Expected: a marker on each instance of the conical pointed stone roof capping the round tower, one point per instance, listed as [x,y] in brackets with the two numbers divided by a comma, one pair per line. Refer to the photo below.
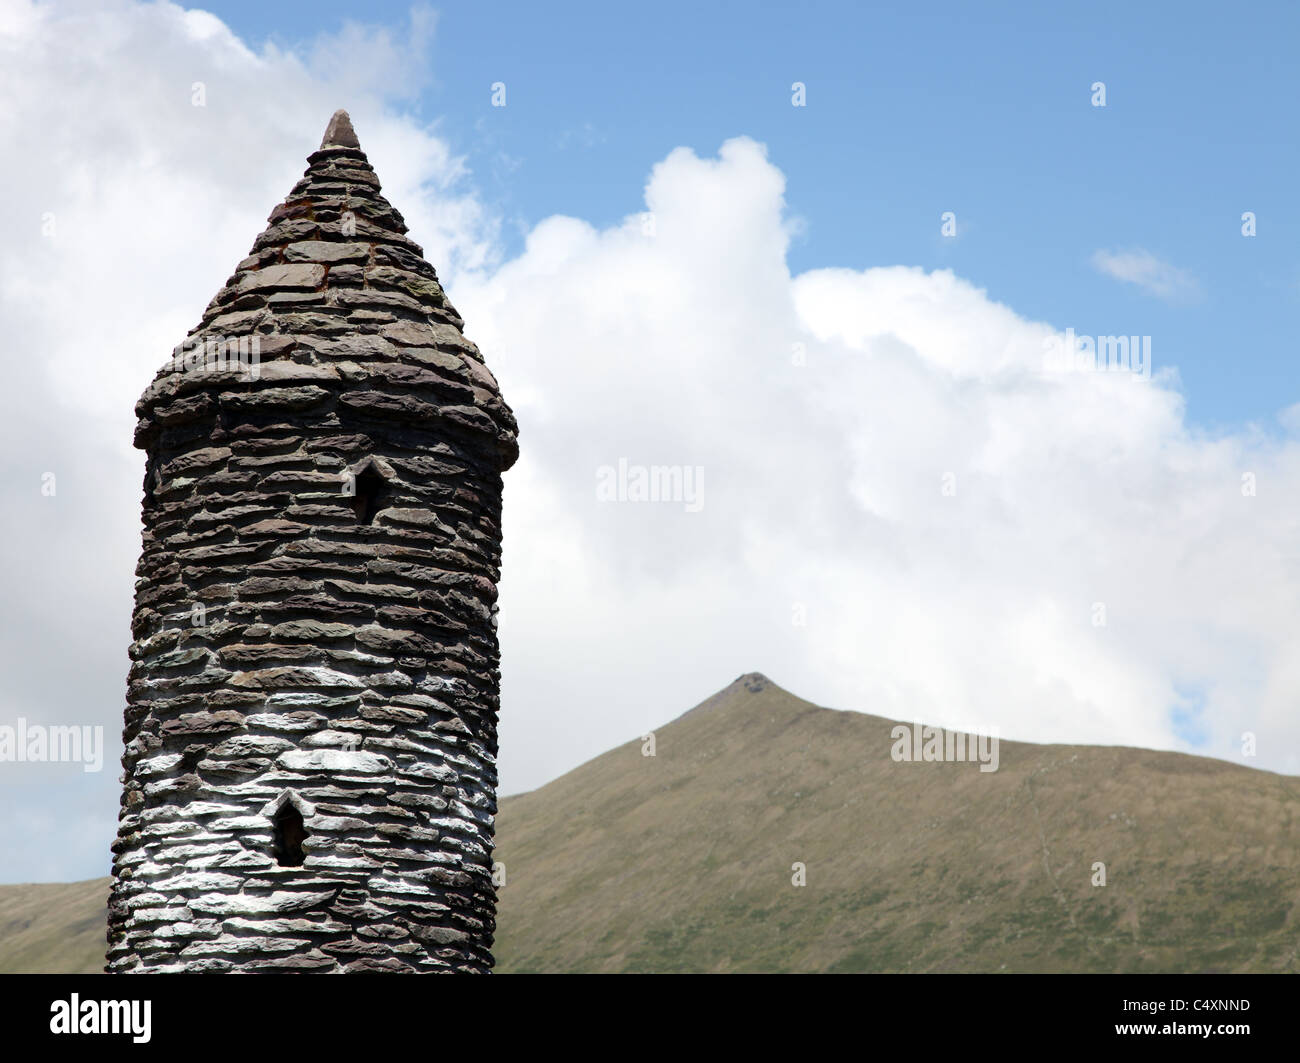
[349,322]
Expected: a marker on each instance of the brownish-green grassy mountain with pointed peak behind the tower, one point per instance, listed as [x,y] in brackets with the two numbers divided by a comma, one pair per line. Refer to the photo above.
[684,861]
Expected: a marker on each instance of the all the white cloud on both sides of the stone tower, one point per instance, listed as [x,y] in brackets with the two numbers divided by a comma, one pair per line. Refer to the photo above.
[902,513]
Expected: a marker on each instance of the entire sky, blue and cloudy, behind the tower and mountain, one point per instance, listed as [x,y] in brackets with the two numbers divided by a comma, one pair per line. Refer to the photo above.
[817,259]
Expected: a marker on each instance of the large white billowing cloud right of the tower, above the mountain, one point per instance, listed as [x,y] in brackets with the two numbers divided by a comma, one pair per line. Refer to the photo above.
[904,513]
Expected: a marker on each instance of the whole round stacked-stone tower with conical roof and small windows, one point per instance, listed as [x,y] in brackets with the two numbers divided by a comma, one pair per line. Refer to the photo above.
[311,723]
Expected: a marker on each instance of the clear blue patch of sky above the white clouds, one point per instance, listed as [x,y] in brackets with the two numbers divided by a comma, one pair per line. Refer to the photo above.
[913,110]
